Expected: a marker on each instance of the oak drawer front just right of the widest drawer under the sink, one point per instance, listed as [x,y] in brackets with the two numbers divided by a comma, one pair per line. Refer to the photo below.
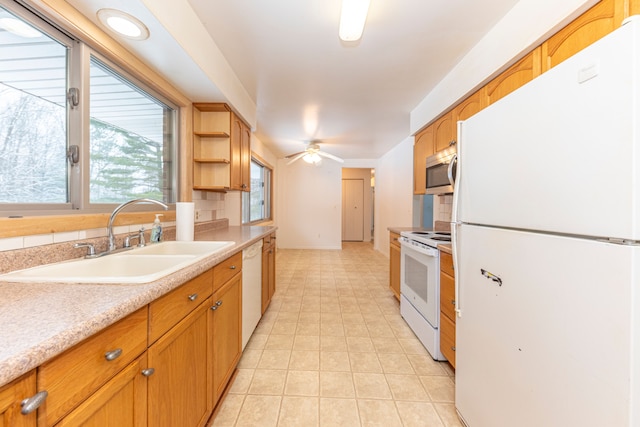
[174,306]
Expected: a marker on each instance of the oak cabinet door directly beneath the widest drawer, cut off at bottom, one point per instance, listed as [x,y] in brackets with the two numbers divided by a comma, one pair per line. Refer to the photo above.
[122,402]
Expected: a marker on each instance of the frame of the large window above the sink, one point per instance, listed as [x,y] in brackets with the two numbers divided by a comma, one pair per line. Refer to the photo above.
[79,54]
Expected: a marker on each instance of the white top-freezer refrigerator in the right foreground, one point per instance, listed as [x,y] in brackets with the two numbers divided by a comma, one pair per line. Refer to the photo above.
[546,229]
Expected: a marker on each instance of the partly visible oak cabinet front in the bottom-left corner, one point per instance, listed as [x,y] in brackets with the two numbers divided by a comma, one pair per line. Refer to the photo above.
[11,395]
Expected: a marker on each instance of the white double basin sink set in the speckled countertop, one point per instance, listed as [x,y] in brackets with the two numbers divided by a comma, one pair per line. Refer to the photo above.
[138,265]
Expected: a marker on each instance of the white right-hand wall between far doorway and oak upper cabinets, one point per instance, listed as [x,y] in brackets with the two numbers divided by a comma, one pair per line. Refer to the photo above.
[394,193]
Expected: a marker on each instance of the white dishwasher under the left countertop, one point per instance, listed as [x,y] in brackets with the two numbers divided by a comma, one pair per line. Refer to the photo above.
[251,290]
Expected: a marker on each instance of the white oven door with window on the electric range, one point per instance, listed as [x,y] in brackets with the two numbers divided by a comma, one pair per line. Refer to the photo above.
[420,280]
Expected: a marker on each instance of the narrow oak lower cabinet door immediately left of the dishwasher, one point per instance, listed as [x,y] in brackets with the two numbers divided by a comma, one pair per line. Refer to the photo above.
[227,332]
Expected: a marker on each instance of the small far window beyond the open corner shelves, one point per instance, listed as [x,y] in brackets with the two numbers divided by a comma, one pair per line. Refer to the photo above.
[256,204]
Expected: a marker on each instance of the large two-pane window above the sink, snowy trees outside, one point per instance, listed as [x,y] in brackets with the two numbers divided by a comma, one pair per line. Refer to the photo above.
[76,131]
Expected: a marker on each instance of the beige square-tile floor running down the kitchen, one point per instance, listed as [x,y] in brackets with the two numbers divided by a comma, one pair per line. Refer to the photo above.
[333,350]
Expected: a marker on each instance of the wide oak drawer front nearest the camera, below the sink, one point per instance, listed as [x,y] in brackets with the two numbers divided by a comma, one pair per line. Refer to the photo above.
[79,371]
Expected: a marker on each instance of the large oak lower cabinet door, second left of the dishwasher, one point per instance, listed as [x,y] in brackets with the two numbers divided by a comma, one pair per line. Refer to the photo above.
[180,389]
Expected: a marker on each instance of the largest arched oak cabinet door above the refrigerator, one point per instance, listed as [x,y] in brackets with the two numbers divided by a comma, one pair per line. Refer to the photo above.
[592,25]
